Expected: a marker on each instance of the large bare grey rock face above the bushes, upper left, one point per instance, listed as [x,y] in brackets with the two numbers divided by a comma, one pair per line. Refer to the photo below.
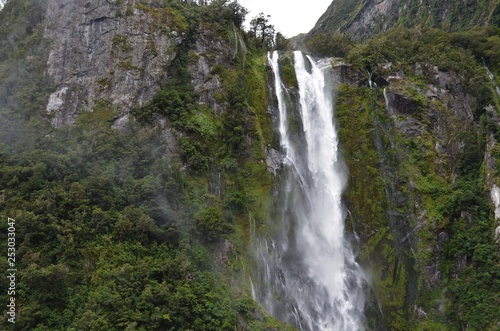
[110,51]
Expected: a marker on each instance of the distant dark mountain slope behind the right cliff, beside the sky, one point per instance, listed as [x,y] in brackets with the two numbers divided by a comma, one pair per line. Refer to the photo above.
[362,18]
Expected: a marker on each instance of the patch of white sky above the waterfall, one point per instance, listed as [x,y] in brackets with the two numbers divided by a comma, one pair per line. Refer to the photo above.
[290,17]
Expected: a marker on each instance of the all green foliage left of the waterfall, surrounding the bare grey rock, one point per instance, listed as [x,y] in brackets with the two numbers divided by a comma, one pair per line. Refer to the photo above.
[114,229]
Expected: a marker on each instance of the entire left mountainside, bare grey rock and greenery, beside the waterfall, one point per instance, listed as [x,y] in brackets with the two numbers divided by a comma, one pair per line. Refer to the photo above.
[131,156]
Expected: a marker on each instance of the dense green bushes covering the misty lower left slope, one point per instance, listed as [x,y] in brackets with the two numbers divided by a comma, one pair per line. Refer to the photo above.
[99,217]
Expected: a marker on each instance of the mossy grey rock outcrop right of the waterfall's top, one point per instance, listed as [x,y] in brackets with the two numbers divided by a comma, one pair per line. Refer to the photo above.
[443,108]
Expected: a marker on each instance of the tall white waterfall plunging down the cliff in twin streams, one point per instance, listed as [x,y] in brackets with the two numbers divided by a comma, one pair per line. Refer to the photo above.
[310,276]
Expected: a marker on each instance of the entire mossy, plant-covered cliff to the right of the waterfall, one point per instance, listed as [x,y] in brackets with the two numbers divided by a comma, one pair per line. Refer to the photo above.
[418,193]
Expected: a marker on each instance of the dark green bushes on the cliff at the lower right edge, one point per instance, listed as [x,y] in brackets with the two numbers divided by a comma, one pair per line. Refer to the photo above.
[473,288]
